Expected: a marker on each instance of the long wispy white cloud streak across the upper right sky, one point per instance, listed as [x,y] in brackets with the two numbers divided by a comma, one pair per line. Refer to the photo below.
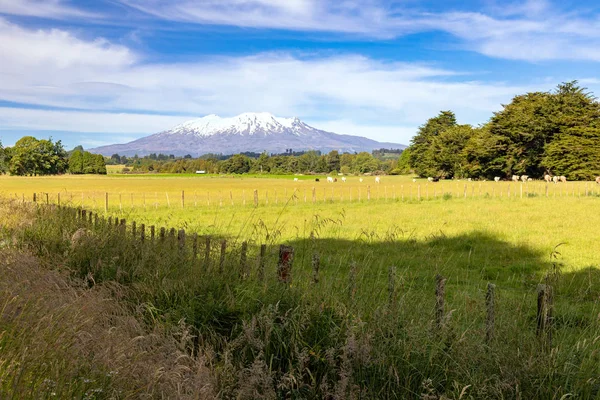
[532,30]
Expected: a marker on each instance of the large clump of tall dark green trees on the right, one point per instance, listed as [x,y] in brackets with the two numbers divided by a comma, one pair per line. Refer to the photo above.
[556,133]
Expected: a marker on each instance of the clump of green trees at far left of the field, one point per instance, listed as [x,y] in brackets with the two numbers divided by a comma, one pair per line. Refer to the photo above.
[32,157]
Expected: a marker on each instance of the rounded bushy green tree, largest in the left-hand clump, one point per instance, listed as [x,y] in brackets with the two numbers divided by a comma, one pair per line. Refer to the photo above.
[31,156]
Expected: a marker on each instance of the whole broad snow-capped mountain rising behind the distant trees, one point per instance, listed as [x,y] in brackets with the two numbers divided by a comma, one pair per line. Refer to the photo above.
[255,132]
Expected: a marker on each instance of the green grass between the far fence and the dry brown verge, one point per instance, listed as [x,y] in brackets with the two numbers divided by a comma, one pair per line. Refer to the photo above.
[364,330]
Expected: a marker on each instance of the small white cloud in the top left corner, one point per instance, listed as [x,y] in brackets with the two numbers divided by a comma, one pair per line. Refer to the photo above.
[41,8]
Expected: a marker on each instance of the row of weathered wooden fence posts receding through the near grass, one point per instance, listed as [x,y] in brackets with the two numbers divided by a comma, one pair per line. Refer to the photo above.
[176,242]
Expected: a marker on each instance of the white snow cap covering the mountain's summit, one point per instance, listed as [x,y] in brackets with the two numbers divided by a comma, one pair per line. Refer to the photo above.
[244,124]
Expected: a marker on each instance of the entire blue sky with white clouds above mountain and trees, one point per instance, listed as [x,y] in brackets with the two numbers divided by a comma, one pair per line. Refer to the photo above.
[96,72]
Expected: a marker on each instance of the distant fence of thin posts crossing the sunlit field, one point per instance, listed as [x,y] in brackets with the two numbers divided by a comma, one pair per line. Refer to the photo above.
[340,193]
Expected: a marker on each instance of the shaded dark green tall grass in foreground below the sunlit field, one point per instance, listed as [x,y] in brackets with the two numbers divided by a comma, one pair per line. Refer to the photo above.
[346,336]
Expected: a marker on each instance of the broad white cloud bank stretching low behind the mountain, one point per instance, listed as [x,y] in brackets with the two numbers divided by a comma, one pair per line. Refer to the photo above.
[59,70]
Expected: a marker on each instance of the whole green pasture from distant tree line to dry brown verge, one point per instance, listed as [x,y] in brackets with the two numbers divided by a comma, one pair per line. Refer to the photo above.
[379,250]
